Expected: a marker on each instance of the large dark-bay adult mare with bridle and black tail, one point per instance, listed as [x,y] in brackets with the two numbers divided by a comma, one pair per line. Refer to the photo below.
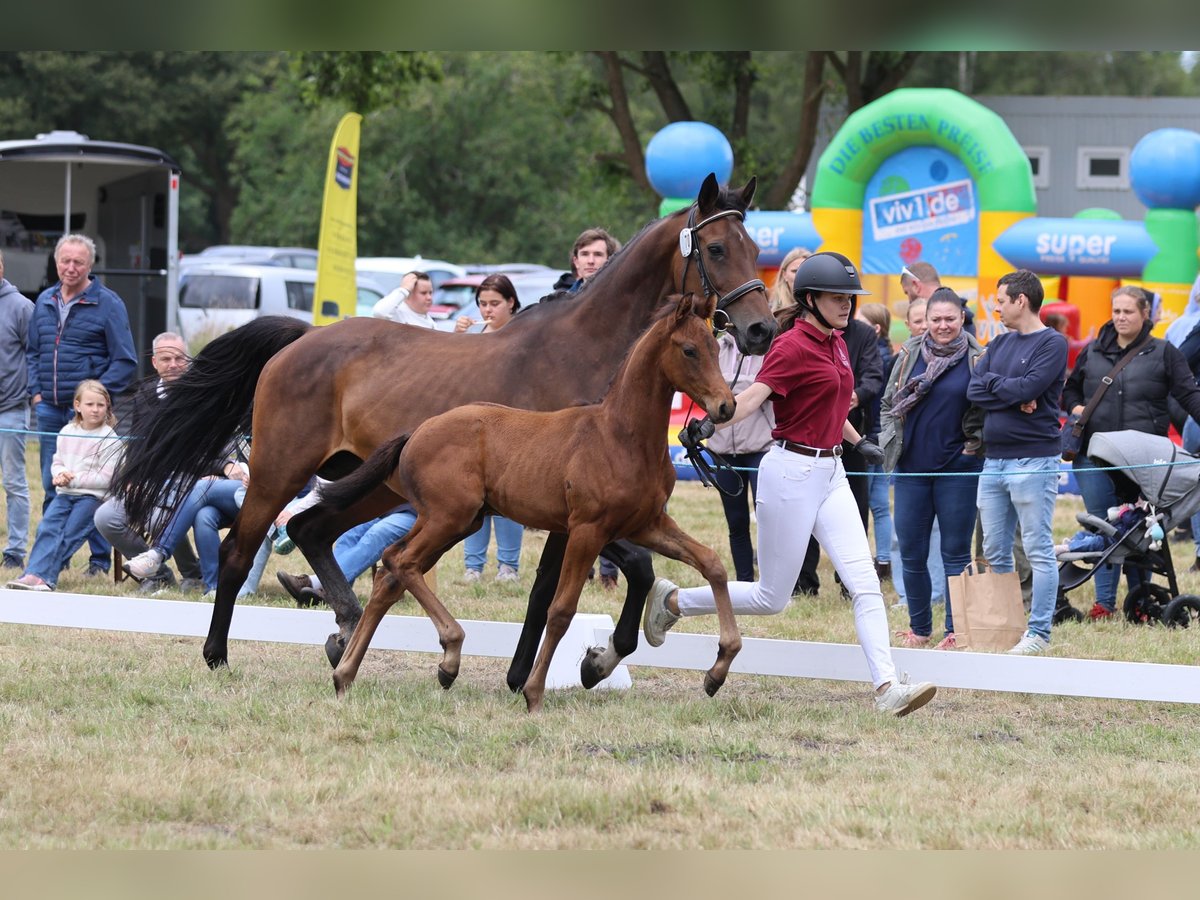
[323,400]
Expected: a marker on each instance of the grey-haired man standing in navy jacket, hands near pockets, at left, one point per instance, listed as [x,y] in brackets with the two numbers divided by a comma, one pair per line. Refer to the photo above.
[80,329]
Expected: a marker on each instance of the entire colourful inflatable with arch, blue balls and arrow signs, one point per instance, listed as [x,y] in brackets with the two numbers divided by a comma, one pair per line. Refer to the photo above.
[929,175]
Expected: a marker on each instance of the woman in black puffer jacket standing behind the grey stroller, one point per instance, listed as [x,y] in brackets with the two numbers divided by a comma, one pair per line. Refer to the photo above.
[1138,400]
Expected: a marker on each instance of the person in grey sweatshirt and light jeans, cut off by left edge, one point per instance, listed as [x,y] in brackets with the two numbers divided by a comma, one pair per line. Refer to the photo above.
[15,313]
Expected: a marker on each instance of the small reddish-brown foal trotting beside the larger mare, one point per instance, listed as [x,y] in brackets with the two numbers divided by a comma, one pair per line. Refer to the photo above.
[596,473]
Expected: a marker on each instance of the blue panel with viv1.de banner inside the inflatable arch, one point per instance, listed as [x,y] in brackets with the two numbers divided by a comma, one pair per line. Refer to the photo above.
[921,205]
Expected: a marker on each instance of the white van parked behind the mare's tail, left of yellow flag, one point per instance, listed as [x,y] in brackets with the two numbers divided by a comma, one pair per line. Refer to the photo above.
[219,298]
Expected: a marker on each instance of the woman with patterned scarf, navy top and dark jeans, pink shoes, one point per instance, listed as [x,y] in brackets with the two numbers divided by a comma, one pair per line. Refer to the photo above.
[932,437]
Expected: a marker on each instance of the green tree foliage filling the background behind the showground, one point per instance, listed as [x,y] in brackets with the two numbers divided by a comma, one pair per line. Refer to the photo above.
[494,157]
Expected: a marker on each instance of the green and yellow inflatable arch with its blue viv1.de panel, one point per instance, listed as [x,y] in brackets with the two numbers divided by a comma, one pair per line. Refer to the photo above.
[923,175]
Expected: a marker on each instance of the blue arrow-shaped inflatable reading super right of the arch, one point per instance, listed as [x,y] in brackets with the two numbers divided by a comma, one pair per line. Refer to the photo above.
[1078,247]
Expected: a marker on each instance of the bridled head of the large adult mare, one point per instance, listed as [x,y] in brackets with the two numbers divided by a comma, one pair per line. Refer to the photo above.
[719,260]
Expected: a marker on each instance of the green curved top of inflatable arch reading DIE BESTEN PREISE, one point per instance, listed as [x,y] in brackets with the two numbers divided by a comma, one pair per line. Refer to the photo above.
[923,117]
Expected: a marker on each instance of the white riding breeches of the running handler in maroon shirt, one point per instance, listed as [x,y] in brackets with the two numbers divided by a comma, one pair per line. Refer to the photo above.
[799,497]
